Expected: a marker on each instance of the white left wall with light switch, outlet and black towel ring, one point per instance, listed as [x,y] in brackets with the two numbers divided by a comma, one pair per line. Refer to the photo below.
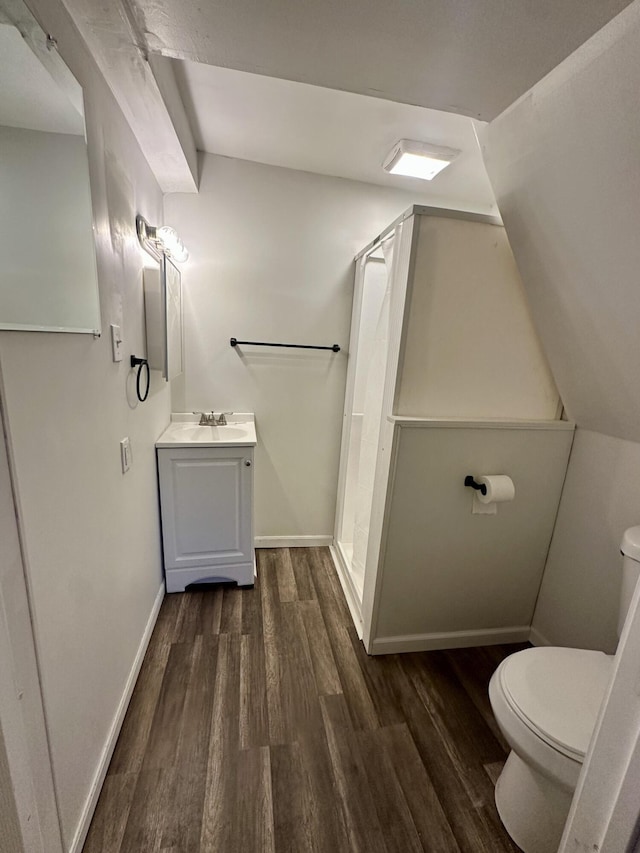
[92,534]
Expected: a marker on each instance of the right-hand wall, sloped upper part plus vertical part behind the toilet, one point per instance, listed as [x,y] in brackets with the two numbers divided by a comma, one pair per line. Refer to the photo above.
[565,165]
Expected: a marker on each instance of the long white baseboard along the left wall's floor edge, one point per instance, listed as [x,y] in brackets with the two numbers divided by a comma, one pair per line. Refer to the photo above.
[103,765]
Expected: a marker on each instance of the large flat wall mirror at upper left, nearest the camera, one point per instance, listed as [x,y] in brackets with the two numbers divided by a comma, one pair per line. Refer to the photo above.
[48,276]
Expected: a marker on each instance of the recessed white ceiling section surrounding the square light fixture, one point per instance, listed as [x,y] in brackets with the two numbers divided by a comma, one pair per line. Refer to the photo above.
[298,126]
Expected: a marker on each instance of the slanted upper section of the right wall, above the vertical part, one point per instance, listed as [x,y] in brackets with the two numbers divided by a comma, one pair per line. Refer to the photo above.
[565,166]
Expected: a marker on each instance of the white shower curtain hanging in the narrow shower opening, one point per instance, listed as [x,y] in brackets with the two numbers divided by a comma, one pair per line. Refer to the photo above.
[372,415]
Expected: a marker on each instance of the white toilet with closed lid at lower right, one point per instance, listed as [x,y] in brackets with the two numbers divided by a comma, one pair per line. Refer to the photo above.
[546,701]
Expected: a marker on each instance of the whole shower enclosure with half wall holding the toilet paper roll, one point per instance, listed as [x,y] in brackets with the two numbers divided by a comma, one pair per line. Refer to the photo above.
[446,378]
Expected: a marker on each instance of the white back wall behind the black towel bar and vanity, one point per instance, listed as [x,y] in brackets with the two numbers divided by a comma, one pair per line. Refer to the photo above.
[272,260]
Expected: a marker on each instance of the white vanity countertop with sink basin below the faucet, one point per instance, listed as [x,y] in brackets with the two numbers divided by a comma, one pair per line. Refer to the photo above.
[185,431]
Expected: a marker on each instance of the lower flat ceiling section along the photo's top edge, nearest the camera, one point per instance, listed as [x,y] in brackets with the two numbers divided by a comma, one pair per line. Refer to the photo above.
[473,57]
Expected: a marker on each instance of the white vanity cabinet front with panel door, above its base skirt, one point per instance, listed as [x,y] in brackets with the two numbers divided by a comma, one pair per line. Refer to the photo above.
[206,498]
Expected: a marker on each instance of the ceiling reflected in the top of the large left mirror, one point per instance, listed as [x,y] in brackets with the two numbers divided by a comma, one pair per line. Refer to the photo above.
[29,97]
